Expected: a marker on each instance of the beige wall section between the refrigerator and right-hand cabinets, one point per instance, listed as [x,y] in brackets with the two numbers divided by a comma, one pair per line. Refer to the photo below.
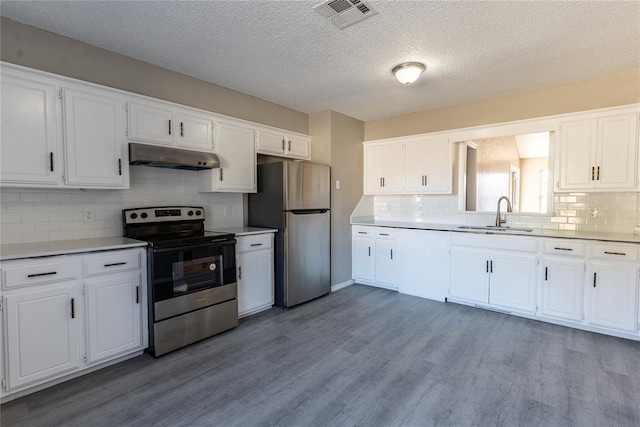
[337,141]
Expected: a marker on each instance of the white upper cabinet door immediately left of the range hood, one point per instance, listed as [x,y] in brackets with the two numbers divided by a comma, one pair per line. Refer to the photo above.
[94,138]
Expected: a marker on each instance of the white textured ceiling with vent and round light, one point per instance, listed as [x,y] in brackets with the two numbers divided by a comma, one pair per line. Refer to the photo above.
[285,52]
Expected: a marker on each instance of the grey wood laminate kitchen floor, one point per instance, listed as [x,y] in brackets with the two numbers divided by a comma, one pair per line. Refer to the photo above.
[361,356]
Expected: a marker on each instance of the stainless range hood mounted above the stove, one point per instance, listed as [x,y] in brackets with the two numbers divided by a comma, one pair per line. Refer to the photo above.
[171,158]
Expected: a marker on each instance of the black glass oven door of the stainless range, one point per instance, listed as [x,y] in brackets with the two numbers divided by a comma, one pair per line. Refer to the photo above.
[179,271]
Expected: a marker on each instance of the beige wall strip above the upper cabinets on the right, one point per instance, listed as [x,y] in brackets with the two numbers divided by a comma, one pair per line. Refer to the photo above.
[608,91]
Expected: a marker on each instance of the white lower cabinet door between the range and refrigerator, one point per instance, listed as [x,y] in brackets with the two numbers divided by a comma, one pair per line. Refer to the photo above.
[255,281]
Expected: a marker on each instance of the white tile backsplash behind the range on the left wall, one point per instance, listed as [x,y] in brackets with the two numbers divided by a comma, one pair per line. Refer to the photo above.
[38,215]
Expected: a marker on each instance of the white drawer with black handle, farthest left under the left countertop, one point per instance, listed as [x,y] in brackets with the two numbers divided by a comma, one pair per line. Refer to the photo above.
[46,270]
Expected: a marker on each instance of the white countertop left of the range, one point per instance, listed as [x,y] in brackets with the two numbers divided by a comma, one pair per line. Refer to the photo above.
[63,247]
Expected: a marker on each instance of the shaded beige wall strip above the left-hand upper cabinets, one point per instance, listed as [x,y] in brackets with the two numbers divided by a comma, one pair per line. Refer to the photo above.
[31,47]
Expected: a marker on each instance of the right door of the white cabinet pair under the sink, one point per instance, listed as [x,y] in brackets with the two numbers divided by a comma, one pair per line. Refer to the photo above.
[512,282]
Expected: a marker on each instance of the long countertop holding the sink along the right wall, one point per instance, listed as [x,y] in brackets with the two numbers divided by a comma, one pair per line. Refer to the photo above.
[584,235]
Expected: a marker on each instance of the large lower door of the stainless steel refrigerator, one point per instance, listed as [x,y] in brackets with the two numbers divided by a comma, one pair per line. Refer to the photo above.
[307,256]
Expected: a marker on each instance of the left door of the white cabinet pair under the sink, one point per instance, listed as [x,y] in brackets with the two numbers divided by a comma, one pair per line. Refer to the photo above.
[469,275]
